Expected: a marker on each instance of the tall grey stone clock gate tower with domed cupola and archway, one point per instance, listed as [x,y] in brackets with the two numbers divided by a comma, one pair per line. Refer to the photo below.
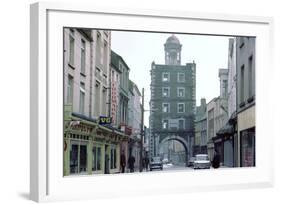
[172,102]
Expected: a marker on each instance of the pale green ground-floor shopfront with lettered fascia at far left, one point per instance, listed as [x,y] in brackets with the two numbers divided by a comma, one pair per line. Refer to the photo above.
[90,148]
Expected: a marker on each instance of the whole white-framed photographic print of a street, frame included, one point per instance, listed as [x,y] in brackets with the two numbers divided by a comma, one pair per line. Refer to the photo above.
[134,102]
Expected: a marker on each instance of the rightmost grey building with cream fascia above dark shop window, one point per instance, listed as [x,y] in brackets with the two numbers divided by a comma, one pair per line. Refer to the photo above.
[245,54]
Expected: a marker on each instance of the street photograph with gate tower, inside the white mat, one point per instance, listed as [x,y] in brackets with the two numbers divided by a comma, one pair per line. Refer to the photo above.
[138,102]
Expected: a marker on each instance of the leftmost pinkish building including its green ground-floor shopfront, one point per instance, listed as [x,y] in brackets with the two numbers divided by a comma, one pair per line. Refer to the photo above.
[89,148]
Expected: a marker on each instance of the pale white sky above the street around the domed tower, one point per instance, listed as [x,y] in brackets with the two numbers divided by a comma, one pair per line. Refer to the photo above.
[140,49]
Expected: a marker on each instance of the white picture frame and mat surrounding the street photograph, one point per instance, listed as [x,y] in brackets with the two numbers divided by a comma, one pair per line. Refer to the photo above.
[46,176]
